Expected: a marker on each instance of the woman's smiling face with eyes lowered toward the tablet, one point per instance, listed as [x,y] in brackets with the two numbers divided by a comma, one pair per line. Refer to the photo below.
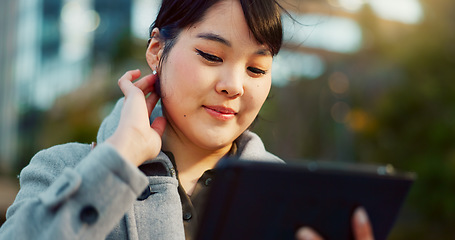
[215,79]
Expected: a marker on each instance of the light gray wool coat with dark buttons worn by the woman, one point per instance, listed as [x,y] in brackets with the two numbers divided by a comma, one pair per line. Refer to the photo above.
[73,192]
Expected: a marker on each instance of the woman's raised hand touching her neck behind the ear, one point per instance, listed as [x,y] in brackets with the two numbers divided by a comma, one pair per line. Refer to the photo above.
[135,139]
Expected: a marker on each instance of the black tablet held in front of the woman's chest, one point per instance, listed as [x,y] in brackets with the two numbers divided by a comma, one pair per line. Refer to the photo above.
[258,200]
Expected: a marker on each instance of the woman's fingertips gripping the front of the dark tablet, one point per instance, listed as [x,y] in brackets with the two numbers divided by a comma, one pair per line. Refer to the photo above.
[360,225]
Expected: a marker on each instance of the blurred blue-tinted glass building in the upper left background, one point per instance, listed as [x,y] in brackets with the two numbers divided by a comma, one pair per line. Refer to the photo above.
[47,50]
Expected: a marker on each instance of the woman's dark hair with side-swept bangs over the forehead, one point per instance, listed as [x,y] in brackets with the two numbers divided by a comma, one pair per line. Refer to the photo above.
[263,18]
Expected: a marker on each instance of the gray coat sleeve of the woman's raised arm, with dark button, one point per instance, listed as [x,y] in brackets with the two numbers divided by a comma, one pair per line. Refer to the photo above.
[70,192]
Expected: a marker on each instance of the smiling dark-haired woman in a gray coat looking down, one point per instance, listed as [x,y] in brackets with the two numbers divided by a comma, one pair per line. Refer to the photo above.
[213,59]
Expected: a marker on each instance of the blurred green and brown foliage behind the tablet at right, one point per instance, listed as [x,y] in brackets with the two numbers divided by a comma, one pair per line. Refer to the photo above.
[401,99]
